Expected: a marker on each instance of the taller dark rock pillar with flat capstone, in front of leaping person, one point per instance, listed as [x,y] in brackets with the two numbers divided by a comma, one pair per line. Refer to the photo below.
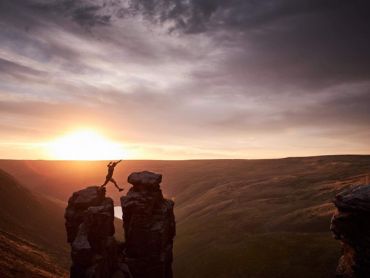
[149,226]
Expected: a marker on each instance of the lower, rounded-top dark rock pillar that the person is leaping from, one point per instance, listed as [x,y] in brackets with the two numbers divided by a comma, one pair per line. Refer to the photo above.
[89,223]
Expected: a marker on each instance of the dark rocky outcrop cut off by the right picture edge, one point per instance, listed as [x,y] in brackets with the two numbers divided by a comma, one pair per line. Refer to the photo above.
[351,225]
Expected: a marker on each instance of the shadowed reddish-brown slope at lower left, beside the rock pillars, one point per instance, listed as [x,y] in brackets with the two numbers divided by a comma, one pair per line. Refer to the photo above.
[32,240]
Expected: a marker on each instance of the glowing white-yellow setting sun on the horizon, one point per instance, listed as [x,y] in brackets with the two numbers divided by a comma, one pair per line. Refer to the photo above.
[85,145]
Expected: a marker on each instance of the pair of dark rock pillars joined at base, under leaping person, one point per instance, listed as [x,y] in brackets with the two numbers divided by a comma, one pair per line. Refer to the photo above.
[149,226]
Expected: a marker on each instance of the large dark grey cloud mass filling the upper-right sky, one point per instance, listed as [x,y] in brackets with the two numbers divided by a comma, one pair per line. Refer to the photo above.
[311,43]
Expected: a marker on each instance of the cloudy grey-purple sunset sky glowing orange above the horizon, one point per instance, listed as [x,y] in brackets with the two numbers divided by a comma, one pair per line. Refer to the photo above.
[186,79]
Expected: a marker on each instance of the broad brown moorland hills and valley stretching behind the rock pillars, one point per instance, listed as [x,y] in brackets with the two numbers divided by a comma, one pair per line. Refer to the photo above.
[235,218]
